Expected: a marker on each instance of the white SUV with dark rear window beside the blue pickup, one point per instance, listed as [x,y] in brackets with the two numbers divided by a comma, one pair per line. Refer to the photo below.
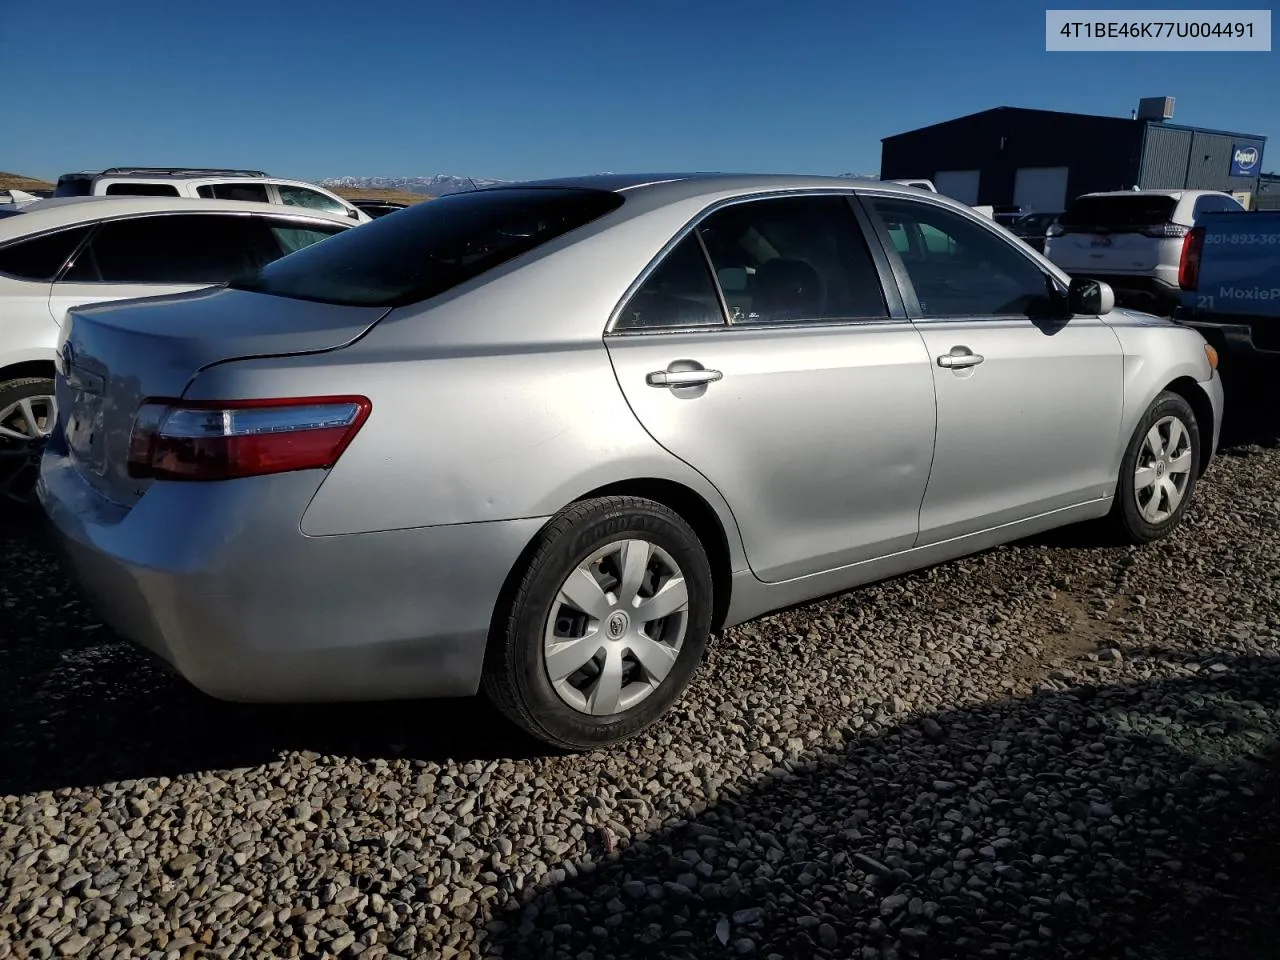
[1132,240]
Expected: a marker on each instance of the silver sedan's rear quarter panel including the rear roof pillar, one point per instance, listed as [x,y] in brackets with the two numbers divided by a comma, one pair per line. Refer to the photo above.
[497,403]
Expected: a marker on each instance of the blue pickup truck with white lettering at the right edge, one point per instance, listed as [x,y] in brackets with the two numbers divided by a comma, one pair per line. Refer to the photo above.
[1231,282]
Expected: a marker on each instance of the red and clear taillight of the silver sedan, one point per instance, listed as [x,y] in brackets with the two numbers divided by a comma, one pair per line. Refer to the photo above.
[228,440]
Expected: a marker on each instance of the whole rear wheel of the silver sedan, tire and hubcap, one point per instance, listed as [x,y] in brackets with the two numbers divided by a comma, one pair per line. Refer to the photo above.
[607,625]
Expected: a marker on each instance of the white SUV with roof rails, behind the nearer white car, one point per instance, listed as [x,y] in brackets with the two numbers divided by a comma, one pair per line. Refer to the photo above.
[253,186]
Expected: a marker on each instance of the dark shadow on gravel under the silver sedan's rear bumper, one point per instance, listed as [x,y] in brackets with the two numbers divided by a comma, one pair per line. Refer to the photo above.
[83,707]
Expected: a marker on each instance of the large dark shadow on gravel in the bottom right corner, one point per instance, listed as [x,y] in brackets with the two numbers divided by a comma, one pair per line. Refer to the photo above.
[1128,821]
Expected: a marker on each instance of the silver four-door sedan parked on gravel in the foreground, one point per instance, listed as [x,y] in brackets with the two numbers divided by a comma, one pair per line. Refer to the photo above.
[546,440]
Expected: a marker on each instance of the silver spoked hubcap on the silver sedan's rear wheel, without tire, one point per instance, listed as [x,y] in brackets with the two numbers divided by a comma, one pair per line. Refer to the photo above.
[616,628]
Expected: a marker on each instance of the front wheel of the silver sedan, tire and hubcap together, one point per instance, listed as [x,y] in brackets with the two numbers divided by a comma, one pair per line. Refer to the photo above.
[1159,472]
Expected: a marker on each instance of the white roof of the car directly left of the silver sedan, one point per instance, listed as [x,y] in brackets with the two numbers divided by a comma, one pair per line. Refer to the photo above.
[66,212]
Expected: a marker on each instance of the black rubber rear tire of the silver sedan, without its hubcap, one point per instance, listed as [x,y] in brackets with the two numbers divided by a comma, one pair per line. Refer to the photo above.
[516,679]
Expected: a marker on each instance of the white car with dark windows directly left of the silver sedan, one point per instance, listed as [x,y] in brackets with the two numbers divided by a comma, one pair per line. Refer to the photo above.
[60,254]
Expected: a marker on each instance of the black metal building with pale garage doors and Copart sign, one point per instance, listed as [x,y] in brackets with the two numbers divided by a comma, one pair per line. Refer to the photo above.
[1043,159]
